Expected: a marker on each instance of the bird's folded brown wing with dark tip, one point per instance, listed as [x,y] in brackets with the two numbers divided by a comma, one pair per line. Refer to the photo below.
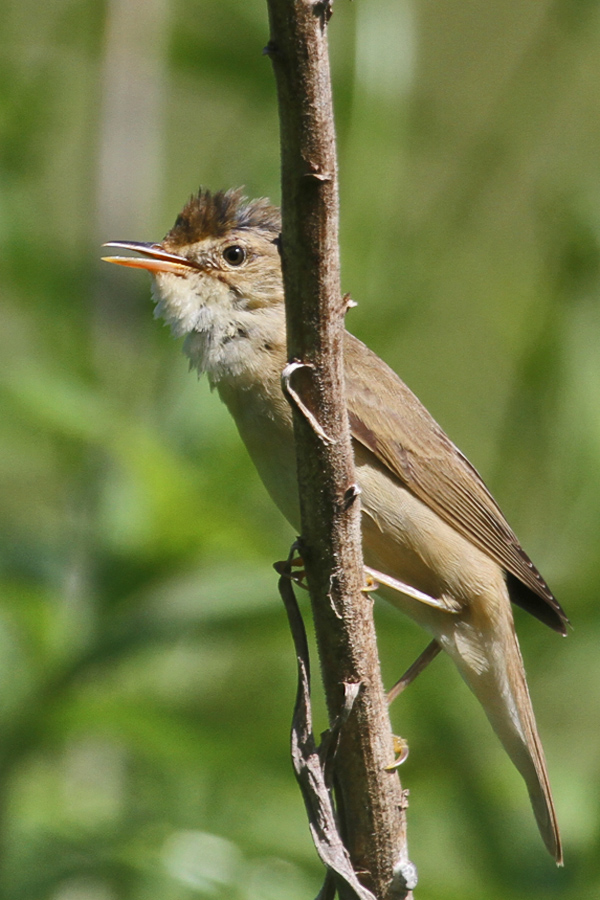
[390,421]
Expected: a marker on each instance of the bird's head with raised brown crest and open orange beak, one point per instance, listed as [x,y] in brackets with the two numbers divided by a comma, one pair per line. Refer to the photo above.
[217,273]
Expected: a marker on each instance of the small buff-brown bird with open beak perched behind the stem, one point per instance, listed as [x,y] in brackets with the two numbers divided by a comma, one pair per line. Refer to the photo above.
[428,521]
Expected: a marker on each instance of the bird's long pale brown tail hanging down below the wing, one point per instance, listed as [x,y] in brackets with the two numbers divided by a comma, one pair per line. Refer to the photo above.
[492,666]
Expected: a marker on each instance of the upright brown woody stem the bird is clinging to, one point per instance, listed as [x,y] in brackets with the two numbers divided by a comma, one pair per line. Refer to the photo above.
[371,797]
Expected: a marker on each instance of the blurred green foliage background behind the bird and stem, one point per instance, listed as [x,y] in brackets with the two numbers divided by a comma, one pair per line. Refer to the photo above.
[146,670]
